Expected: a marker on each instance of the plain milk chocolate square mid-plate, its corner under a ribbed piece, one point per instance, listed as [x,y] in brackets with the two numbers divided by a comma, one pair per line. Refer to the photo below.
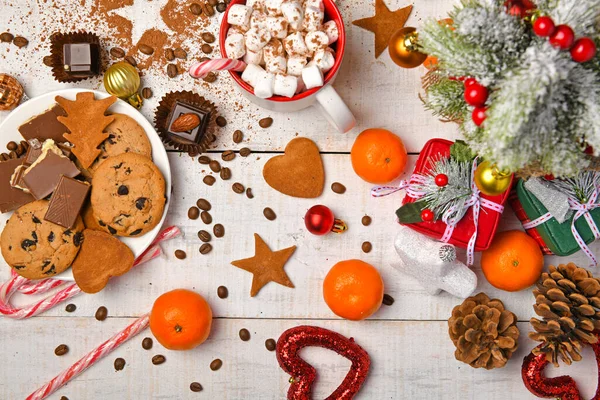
[43,176]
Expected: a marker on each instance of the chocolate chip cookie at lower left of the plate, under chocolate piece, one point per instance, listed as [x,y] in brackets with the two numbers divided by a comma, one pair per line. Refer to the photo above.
[36,248]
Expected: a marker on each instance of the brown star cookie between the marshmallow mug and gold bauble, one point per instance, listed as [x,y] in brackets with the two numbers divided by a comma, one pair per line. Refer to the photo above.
[384,24]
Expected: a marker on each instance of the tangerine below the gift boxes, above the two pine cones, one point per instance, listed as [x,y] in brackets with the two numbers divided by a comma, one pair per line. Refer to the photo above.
[513,262]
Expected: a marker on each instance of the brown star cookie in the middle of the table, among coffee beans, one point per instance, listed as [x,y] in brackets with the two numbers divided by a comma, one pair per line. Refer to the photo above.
[266,265]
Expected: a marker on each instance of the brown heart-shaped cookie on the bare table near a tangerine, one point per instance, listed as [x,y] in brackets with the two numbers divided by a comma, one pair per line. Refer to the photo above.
[299,172]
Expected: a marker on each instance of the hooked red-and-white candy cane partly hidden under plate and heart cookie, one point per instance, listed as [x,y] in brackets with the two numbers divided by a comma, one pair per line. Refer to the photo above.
[25,286]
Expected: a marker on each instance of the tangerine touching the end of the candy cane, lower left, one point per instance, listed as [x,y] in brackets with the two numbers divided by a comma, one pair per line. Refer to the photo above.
[180,319]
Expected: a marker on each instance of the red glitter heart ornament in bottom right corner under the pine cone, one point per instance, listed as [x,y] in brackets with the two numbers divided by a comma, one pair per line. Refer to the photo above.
[562,387]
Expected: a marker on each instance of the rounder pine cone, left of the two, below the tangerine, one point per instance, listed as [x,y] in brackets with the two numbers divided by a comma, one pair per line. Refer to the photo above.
[484,333]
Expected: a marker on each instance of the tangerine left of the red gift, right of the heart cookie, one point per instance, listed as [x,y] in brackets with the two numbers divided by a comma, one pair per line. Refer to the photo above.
[378,156]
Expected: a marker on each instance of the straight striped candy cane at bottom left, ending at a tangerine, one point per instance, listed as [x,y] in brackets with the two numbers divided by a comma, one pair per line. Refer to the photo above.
[90,358]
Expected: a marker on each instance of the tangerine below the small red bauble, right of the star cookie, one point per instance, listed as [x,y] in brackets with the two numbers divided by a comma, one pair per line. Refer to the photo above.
[353,289]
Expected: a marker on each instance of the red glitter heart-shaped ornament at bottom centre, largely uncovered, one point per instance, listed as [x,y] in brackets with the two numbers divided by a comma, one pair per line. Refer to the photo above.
[304,375]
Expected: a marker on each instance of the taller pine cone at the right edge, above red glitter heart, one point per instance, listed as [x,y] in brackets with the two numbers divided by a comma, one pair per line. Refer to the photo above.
[568,299]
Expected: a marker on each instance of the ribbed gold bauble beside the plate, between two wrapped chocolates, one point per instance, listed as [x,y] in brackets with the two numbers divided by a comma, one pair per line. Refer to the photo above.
[123,80]
